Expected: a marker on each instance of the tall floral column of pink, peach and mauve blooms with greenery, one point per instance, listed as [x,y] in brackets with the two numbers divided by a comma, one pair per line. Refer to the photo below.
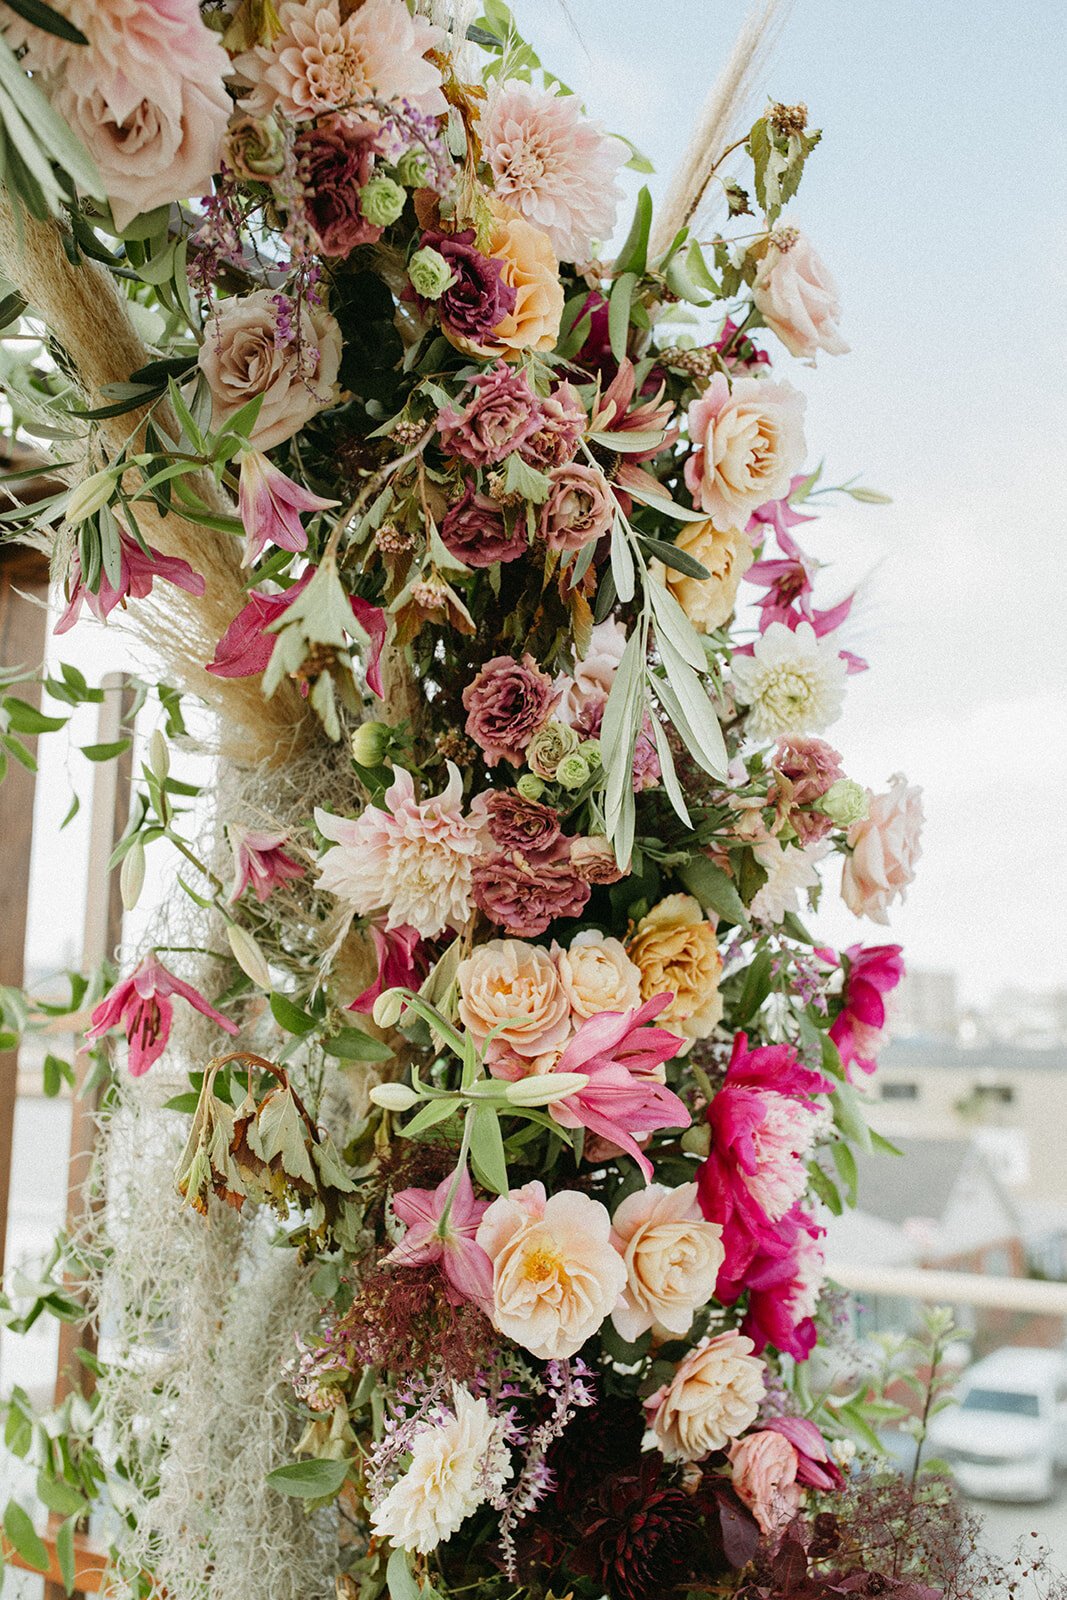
[538,1068]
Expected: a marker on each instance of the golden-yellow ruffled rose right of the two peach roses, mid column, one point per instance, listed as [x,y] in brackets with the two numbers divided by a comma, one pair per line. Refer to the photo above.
[676,948]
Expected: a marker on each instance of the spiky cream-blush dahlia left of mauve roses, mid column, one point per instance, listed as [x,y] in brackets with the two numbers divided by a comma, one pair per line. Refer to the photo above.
[414,860]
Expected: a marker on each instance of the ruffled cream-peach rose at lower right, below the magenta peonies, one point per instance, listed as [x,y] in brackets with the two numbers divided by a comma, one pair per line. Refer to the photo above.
[713,1398]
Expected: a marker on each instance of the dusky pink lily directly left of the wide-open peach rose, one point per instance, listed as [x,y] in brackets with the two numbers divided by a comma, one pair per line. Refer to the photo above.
[446,1234]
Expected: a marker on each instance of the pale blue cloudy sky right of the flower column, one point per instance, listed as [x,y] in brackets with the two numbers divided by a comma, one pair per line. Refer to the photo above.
[938,198]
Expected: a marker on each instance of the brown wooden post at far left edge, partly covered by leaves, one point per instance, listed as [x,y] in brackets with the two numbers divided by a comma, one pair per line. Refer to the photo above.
[23,633]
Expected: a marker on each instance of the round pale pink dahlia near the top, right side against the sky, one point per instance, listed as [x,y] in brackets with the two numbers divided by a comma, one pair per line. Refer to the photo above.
[554,166]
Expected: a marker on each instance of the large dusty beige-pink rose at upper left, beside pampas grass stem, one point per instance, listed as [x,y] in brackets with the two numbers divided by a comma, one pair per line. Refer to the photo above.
[244,356]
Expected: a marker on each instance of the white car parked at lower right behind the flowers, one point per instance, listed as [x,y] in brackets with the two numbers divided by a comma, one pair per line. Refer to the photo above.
[1009,1434]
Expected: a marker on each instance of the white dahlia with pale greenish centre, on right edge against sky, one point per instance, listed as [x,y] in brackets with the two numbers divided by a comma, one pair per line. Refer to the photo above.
[793,682]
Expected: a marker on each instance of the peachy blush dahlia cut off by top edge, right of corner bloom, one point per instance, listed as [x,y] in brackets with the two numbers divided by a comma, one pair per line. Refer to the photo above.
[330,57]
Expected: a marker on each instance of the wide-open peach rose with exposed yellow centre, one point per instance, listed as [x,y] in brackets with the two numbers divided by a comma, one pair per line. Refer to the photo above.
[556,1274]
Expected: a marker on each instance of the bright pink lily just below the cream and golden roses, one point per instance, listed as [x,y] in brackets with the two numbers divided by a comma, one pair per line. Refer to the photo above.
[620,1054]
